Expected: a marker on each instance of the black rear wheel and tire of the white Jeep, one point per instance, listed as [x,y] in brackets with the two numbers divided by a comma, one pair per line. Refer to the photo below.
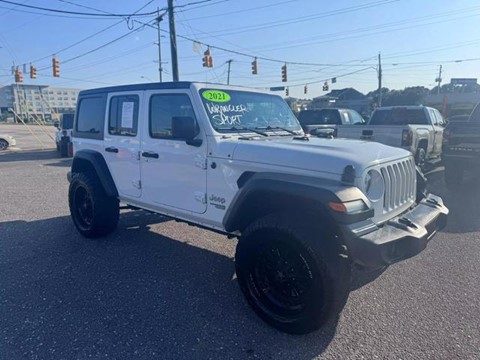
[93,212]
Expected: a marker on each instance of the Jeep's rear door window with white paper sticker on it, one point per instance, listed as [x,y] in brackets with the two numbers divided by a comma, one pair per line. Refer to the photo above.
[123,118]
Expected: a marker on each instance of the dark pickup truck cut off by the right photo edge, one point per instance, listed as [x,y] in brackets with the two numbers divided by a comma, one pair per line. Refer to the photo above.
[461,148]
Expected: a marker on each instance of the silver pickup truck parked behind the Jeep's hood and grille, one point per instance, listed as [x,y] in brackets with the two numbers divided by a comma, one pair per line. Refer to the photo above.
[418,129]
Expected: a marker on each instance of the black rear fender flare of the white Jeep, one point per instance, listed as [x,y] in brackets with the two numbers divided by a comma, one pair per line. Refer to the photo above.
[90,159]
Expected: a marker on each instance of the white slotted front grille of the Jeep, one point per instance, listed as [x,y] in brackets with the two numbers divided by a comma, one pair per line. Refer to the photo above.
[400,184]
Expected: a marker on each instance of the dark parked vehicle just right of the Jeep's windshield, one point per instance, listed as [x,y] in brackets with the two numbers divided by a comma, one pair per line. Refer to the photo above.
[315,122]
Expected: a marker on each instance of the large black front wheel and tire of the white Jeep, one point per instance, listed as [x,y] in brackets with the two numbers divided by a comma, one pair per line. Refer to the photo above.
[291,274]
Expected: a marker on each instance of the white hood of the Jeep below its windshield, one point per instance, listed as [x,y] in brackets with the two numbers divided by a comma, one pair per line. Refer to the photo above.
[317,154]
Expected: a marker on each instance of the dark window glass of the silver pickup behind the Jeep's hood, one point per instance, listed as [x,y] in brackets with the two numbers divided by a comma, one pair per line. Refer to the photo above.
[399,117]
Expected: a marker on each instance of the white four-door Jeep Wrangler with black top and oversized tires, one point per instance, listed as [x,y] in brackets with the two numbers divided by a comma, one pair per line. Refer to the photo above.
[236,161]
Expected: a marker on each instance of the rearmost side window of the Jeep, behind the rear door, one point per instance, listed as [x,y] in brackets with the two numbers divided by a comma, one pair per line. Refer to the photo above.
[90,119]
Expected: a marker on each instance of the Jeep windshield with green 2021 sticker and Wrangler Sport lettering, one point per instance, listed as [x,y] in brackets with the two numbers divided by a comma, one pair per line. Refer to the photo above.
[233,110]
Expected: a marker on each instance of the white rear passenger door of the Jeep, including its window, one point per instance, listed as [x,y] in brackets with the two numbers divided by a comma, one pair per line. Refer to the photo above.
[122,141]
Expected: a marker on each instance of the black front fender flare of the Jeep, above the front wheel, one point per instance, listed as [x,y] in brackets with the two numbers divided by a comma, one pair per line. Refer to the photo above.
[263,193]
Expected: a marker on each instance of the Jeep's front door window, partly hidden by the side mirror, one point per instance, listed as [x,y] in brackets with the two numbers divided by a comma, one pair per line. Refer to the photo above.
[163,108]
